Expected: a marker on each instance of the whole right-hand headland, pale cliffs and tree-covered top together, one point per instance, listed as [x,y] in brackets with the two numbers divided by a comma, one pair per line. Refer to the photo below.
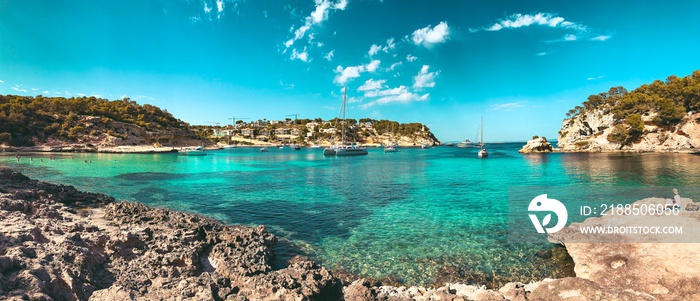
[659,117]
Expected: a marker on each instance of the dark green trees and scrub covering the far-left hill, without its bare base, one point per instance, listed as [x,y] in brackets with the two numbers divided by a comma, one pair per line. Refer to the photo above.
[26,120]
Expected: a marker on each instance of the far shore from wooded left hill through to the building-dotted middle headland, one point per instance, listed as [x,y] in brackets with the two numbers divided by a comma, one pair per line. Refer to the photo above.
[96,124]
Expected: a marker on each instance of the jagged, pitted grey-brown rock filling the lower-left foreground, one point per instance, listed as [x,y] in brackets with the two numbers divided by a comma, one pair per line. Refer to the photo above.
[60,244]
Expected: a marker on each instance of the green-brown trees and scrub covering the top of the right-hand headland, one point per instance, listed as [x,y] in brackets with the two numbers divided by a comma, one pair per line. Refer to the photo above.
[662,103]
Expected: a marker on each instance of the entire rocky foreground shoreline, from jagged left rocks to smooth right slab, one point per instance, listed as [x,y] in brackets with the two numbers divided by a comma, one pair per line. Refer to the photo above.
[57,243]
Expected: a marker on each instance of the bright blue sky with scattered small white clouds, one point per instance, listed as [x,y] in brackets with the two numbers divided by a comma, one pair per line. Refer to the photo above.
[520,64]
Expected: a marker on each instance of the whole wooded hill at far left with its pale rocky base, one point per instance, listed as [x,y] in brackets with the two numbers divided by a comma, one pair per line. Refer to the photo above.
[86,123]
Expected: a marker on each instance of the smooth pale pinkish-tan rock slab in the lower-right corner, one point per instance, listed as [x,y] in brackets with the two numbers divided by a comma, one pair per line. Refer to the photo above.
[653,267]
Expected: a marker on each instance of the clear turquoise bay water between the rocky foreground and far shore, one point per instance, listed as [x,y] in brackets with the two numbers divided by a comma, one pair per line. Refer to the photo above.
[414,217]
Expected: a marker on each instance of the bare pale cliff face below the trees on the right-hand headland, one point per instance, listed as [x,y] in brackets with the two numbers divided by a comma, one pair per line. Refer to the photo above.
[589,131]
